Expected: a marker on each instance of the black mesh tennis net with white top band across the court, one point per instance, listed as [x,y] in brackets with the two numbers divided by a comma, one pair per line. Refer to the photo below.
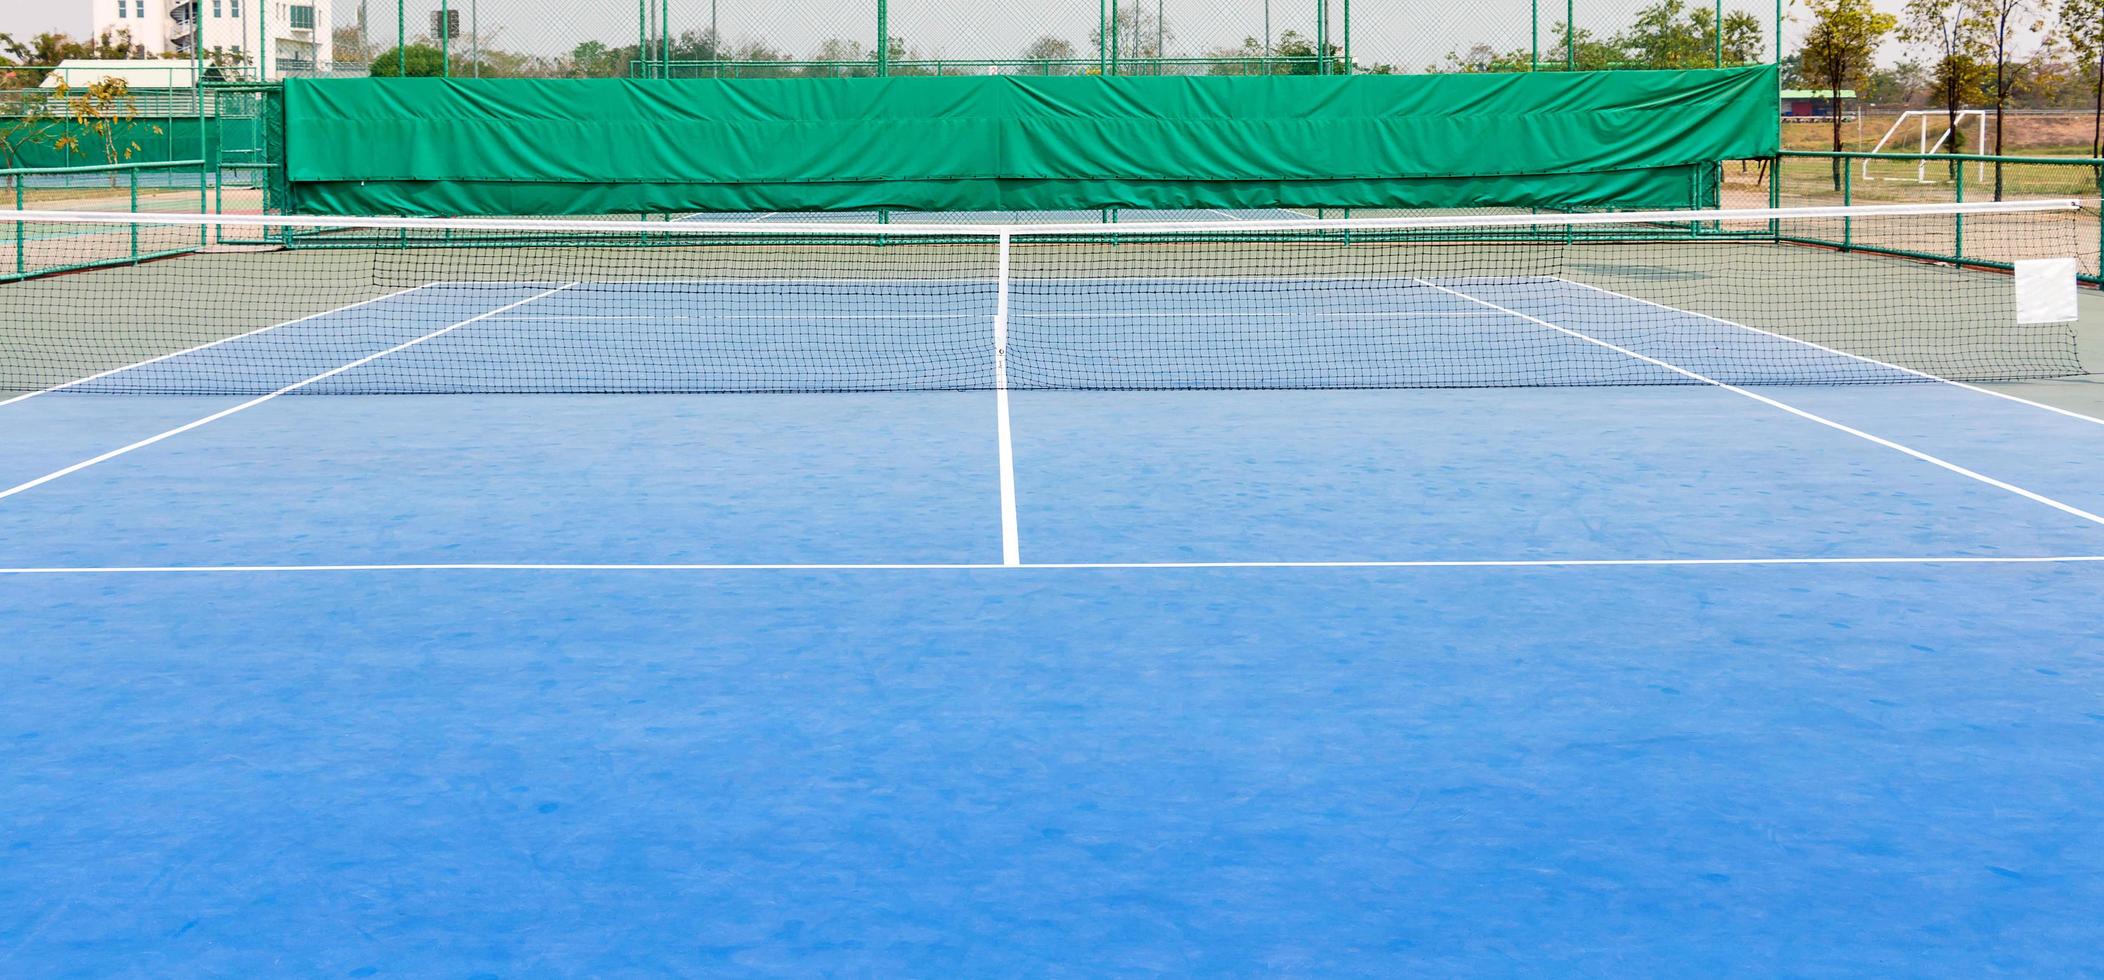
[489,306]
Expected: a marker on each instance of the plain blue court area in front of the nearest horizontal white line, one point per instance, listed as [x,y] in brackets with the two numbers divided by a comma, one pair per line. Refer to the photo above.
[1619,771]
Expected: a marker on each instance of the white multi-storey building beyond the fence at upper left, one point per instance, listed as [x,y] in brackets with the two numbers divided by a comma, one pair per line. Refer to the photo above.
[270,39]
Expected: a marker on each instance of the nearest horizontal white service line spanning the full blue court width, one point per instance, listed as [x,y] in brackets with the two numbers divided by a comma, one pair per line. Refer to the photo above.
[1078,567]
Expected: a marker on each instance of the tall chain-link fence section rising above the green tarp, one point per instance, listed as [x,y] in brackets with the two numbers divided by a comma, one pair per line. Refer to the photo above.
[830,39]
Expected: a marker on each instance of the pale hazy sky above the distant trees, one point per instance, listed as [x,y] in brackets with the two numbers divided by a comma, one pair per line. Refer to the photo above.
[1407,35]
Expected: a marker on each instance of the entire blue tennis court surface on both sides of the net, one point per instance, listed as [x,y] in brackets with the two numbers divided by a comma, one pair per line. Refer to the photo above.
[1674,670]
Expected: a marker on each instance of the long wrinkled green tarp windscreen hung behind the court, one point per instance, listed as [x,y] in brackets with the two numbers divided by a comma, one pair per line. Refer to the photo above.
[1558,140]
